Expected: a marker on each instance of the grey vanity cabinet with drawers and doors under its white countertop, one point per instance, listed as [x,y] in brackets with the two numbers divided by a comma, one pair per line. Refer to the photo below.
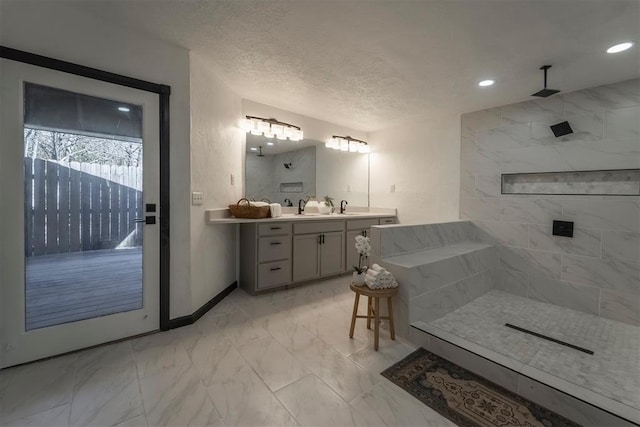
[282,252]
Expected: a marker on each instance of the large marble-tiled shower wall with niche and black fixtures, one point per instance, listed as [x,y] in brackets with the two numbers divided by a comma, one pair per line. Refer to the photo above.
[598,270]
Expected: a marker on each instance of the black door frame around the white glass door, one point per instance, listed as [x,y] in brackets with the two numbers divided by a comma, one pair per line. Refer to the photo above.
[163,92]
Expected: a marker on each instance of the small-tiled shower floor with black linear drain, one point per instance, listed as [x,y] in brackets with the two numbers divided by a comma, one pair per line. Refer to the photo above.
[613,371]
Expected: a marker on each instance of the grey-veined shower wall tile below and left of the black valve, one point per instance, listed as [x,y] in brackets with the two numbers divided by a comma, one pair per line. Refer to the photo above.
[530,261]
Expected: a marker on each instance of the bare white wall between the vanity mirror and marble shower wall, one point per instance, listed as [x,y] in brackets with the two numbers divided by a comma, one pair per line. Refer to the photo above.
[421,159]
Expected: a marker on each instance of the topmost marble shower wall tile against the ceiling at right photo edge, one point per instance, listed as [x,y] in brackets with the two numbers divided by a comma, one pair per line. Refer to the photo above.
[598,99]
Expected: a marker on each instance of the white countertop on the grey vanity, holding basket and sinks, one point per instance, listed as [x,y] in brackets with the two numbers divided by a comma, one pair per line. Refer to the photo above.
[221,216]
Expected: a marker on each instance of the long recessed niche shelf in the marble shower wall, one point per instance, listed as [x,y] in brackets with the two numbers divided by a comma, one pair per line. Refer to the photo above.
[619,182]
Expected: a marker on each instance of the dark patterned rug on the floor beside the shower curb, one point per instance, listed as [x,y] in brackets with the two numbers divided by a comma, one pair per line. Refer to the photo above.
[465,398]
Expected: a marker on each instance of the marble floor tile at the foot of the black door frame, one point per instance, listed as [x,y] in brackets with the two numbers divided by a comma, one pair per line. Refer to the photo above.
[159,352]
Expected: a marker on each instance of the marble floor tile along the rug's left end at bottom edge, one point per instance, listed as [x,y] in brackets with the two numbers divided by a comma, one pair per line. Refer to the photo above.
[388,405]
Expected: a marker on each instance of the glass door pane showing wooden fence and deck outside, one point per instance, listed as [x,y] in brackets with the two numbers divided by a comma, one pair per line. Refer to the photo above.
[83,203]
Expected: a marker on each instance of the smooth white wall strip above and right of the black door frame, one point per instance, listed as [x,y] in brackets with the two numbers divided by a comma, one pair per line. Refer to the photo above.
[55,29]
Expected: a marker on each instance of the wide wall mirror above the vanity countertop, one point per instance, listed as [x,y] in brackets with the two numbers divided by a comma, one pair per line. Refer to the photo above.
[297,170]
